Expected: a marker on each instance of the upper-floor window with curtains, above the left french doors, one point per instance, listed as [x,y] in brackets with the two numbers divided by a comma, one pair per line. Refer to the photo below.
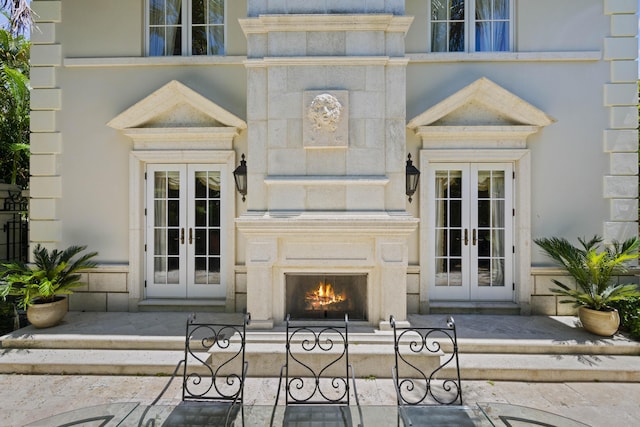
[185,27]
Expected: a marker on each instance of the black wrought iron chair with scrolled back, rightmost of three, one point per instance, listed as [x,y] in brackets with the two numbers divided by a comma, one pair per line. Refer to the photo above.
[422,381]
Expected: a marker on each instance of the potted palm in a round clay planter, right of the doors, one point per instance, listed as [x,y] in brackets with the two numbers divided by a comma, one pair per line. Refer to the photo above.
[594,271]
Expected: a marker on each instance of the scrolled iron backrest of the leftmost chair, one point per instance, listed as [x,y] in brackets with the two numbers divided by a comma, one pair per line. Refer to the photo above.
[215,368]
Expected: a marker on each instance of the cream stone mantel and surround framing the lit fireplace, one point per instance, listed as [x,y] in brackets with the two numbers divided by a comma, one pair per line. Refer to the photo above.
[371,243]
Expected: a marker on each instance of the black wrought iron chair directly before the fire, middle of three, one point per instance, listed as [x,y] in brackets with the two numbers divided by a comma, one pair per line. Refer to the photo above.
[317,376]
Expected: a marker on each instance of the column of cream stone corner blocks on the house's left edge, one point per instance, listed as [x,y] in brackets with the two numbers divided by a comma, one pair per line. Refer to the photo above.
[46,141]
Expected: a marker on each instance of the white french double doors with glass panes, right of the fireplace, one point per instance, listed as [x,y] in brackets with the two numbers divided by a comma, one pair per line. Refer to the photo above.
[471,246]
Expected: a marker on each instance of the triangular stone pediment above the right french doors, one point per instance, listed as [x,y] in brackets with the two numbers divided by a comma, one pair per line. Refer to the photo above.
[482,103]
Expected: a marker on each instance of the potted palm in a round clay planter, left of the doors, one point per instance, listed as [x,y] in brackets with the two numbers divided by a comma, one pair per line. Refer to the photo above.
[41,288]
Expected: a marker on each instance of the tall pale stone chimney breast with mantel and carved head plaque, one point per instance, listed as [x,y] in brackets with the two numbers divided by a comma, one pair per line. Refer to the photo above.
[323,193]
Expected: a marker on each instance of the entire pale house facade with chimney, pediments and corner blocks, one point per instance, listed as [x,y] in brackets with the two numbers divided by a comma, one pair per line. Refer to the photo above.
[560,108]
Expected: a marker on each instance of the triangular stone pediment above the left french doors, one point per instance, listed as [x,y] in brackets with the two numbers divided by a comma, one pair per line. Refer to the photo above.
[176,106]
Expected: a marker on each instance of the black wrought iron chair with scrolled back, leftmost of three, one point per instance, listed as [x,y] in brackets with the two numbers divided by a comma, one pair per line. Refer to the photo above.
[214,370]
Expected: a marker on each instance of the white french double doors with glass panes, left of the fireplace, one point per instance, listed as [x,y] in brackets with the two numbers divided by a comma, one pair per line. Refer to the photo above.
[184,231]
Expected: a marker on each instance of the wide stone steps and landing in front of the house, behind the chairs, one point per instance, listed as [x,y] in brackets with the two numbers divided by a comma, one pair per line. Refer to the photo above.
[516,348]
